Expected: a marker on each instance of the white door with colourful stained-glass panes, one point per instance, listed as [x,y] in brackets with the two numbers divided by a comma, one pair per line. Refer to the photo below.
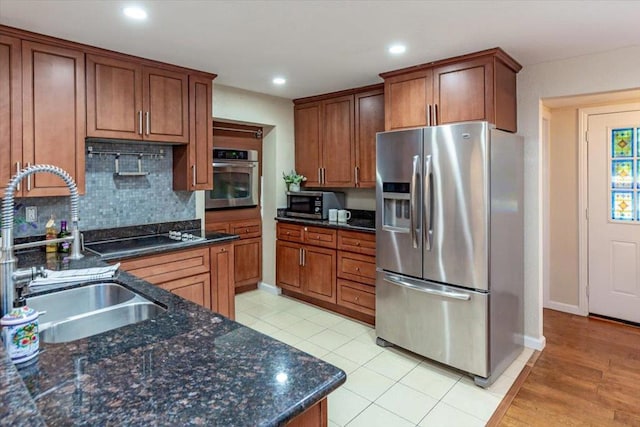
[614,215]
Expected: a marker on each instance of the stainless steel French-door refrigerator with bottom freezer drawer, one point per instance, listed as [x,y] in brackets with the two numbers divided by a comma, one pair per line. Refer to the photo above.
[450,244]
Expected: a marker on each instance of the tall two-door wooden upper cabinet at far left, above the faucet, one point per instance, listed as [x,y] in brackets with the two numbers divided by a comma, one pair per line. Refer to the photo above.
[42,113]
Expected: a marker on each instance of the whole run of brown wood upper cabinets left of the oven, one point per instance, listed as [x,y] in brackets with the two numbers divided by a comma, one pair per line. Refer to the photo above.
[49,108]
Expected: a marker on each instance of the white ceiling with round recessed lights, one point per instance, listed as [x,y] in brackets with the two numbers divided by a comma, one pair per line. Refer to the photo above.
[324,46]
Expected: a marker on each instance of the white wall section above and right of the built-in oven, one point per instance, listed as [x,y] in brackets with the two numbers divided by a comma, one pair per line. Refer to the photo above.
[276,116]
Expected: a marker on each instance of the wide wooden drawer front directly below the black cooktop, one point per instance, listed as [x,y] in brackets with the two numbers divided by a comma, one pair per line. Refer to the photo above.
[170,266]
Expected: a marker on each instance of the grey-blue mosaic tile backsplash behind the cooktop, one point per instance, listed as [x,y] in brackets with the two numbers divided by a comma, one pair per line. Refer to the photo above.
[117,201]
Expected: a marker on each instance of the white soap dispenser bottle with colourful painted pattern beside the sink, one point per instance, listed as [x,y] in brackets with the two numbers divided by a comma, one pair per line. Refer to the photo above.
[20,331]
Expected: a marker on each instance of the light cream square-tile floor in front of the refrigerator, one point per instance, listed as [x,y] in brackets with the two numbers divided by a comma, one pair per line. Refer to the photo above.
[385,386]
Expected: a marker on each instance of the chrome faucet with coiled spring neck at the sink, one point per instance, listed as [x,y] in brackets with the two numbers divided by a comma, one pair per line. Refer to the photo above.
[9,276]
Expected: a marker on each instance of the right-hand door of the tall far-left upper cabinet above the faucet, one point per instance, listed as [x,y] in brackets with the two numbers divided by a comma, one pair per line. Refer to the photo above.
[53,117]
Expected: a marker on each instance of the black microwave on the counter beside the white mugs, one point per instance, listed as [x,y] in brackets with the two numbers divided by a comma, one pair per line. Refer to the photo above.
[313,204]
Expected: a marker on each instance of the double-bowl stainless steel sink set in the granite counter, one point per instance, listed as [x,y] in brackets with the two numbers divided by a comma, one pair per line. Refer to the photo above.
[78,313]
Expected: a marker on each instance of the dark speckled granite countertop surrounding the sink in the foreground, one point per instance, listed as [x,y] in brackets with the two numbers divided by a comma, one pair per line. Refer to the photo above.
[189,365]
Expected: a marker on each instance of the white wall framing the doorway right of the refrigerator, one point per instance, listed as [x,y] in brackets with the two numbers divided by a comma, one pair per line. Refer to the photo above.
[604,72]
